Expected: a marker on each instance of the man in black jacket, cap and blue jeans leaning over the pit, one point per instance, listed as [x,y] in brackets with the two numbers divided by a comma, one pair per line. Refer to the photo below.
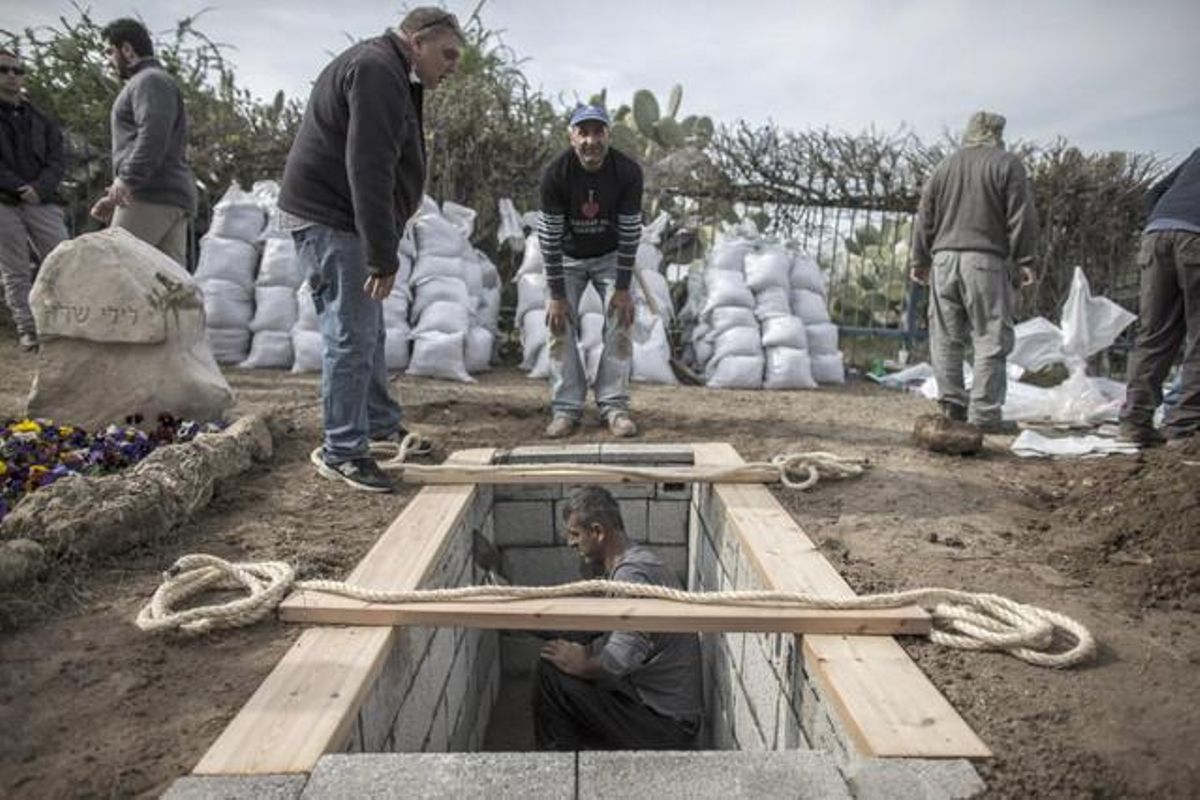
[355,177]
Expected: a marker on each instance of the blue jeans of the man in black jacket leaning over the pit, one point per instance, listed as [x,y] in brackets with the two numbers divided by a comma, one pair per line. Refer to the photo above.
[358,406]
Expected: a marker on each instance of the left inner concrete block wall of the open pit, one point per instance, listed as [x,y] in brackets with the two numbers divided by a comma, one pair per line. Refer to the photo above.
[437,687]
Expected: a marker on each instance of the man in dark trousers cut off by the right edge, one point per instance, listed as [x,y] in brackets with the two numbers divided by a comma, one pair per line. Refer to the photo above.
[1169,311]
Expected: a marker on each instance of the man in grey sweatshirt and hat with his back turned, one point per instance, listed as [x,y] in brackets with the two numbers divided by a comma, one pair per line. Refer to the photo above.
[975,225]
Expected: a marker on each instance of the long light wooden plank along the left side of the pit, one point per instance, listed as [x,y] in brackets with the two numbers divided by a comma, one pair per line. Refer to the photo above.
[307,706]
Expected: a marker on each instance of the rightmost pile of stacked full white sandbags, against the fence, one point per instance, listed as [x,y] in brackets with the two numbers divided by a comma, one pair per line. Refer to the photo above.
[757,318]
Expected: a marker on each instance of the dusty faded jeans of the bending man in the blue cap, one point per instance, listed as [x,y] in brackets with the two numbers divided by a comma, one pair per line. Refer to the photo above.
[568,380]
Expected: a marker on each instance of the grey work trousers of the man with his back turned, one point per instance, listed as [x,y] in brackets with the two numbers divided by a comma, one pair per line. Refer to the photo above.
[971,303]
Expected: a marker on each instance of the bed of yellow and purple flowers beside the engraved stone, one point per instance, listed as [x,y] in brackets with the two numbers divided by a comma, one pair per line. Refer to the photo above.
[35,454]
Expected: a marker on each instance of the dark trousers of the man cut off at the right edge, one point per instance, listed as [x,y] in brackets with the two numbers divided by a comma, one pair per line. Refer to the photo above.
[1168,320]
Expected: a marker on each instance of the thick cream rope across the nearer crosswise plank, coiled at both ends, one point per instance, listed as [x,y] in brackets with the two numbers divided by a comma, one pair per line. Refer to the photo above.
[962,619]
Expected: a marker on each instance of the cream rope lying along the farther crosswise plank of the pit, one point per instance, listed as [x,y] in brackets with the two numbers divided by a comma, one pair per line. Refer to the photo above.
[797,471]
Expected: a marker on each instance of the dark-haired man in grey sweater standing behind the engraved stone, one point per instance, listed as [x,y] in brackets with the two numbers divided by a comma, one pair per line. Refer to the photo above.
[153,194]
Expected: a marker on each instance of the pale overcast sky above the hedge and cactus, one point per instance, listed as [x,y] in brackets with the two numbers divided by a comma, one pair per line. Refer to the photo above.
[1106,75]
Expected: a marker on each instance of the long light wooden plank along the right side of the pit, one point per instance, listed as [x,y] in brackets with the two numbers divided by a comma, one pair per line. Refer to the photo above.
[885,703]
